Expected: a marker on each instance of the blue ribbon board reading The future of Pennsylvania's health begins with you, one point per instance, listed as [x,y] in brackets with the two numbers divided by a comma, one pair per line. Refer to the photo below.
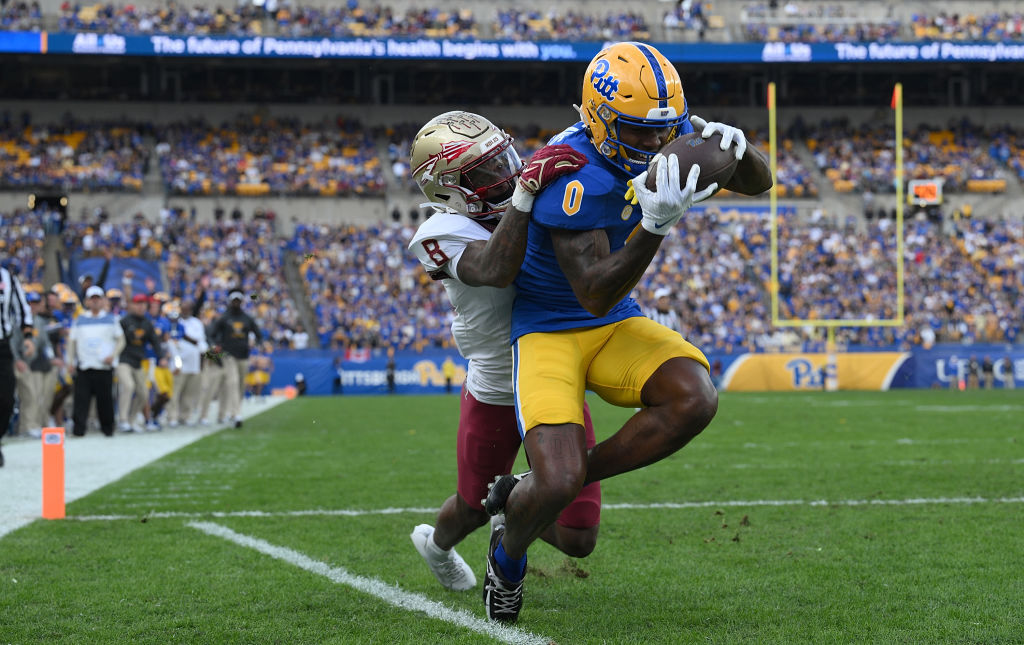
[476,50]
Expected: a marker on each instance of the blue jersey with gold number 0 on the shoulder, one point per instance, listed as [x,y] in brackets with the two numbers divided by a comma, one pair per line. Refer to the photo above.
[589,199]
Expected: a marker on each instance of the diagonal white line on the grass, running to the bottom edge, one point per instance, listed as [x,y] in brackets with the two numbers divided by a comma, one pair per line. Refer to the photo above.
[389,593]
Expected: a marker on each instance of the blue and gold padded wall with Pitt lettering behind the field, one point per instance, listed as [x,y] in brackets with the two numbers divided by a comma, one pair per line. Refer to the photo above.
[420,373]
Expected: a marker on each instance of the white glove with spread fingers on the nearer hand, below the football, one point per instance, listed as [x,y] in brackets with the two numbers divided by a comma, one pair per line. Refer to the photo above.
[666,205]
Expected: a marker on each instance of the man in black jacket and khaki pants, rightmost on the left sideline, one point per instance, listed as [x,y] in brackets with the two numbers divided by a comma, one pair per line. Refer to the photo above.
[230,338]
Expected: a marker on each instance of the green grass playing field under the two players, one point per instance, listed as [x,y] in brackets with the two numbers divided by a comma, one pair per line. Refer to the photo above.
[891,518]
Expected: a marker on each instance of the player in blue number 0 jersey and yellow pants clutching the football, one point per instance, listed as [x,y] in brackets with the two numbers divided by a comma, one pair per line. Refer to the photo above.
[575,327]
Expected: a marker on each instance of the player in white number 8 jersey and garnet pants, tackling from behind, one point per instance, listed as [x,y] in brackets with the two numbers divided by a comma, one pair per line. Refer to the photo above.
[475,243]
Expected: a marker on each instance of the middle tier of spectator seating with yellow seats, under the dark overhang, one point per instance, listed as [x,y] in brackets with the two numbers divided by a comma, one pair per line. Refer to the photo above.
[255,156]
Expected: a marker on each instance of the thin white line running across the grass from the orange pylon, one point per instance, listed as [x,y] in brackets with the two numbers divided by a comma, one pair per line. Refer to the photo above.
[605,507]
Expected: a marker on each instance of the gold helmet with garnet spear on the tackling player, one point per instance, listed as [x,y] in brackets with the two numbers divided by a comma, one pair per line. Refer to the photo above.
[466,164]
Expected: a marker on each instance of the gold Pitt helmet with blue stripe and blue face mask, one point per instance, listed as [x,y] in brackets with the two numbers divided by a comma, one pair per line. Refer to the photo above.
[631,84]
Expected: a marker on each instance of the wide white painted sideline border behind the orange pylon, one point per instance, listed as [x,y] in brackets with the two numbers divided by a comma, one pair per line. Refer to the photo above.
[91,463]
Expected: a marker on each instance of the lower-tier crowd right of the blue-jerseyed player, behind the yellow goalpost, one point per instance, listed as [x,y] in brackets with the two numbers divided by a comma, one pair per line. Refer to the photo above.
[962,288]
